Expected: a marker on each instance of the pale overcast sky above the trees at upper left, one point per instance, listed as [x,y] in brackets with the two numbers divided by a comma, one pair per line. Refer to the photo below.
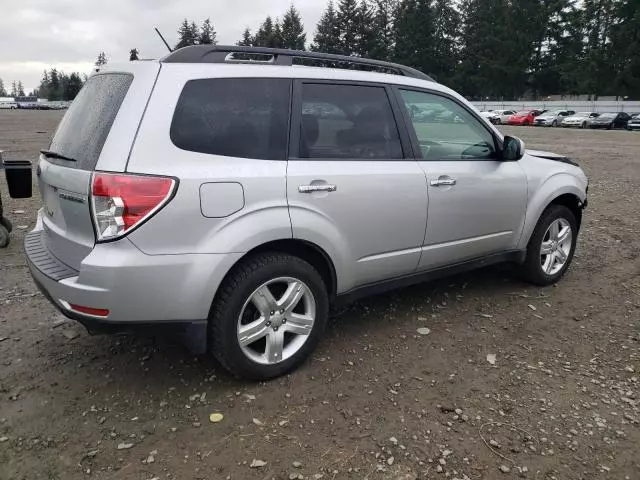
[69,34]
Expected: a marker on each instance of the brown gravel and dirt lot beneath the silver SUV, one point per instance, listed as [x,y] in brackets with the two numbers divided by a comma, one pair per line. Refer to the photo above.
[376,400]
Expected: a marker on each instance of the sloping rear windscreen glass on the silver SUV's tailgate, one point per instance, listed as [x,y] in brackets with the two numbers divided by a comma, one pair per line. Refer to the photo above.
[85,127]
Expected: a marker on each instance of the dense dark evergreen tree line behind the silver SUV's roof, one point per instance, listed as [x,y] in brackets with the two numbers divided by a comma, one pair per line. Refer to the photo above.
[496,49]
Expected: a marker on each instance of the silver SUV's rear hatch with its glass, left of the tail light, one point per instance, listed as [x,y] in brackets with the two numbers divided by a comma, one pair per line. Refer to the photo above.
[96,133]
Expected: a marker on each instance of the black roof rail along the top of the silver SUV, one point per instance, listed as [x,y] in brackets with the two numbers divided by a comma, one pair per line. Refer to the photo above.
[280,56]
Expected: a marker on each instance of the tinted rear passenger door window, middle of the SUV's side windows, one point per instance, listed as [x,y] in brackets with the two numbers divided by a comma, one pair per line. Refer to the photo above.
[348,122]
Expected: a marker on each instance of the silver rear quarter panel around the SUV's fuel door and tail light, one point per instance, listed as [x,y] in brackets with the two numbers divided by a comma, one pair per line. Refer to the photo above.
[181,227]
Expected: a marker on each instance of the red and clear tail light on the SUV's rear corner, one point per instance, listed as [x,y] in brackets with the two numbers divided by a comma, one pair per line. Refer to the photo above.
[121,202]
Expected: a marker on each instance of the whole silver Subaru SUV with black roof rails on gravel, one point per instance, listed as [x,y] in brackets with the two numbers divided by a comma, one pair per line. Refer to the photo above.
[241,192]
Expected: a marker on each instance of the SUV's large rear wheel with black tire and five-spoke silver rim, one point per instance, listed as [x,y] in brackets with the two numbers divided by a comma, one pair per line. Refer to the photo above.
[268,316]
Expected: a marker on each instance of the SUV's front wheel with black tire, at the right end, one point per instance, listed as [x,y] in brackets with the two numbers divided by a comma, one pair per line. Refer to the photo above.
[551,246]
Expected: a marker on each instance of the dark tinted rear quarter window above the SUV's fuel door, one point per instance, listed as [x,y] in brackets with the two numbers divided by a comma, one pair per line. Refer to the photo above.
[232,117]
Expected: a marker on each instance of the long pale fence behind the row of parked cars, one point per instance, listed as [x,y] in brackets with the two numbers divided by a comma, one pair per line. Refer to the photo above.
[578,106]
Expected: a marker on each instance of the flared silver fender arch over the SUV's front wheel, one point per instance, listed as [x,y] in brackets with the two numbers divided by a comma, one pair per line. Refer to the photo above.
[561,183]
